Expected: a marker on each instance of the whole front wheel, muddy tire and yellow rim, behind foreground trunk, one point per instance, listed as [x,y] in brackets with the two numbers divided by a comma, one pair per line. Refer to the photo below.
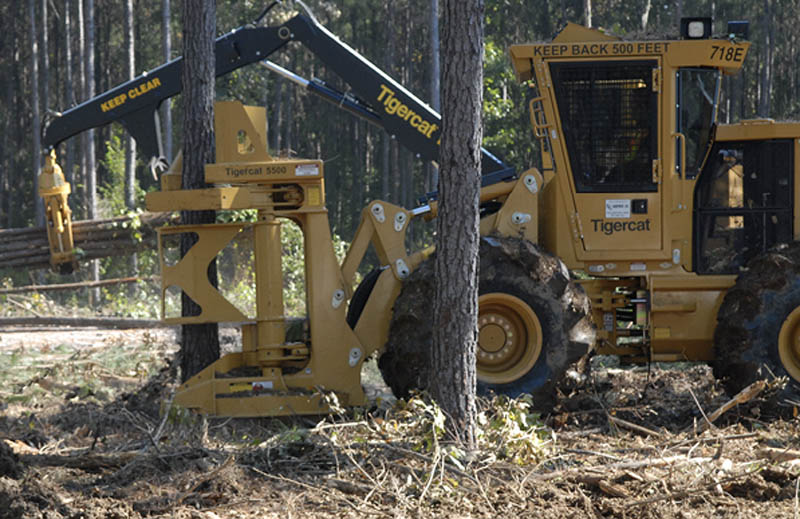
[534,324]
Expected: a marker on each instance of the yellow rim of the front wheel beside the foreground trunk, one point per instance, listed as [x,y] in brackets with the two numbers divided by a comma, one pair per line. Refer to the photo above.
[509,338]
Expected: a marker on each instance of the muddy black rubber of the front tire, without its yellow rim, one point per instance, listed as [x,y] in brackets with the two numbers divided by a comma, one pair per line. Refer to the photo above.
[512,266]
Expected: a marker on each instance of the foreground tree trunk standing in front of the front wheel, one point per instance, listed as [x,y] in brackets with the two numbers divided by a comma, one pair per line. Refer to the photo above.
[456,298]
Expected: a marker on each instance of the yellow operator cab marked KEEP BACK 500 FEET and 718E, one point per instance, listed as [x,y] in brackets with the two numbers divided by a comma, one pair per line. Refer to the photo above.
[625,128]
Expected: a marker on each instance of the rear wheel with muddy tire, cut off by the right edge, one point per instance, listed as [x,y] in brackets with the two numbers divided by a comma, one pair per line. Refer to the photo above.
[758,324]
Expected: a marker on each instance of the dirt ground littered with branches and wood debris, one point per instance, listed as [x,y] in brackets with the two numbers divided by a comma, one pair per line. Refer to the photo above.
[85,432]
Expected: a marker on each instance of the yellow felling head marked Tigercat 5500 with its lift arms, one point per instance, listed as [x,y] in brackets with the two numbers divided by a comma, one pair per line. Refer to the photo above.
[270,376]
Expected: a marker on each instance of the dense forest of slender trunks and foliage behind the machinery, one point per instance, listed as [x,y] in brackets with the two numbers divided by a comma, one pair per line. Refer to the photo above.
[46,45]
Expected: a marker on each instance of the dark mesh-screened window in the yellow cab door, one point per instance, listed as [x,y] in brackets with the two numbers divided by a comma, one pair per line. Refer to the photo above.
[608,114]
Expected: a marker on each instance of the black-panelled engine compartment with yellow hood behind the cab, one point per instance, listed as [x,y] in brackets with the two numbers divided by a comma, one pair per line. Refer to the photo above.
[744,200]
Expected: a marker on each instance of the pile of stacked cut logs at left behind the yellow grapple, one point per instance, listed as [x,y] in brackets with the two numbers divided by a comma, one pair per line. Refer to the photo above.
[28,247]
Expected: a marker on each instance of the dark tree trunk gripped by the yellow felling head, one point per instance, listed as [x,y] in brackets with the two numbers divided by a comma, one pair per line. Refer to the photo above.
[199,342]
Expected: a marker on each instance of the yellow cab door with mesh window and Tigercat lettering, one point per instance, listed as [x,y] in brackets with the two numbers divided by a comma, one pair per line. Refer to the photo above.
[609,114]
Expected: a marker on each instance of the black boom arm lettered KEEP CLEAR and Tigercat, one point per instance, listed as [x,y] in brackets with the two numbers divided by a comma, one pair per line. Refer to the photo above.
[382,100]
